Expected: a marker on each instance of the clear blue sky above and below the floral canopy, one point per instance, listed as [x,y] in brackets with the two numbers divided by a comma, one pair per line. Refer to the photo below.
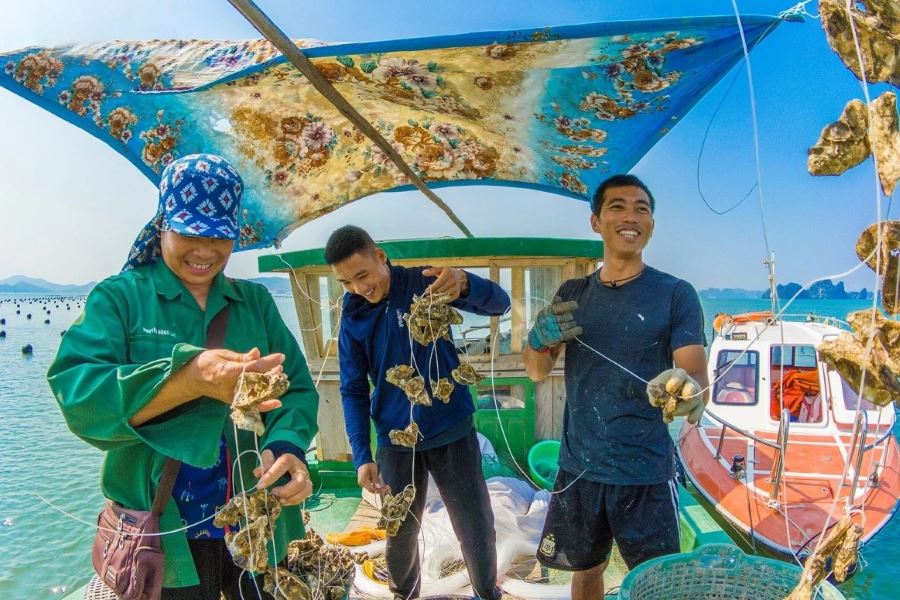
[70,206]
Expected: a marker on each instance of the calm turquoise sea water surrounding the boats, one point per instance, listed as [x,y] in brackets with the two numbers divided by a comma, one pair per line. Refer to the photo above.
[44,554]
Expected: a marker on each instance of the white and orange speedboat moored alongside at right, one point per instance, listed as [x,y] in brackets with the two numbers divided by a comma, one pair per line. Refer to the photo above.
[784,450]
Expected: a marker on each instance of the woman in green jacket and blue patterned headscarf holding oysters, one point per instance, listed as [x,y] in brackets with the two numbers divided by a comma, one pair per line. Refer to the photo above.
[132,377]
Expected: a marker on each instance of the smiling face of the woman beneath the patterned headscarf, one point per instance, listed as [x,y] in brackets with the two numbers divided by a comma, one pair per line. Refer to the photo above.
[195,260]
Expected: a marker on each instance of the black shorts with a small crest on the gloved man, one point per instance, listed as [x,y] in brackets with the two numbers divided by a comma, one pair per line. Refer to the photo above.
[583,521]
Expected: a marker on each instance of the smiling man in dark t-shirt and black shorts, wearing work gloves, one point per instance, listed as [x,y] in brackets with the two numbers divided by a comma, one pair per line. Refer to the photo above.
[632,322]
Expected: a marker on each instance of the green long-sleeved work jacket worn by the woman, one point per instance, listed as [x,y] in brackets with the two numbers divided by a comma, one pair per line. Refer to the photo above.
[137,329]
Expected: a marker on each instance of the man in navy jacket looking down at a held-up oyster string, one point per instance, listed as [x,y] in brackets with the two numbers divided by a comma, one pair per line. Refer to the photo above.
[374,338]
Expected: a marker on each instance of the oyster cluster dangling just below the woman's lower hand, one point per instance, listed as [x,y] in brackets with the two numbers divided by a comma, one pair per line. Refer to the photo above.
[257,513]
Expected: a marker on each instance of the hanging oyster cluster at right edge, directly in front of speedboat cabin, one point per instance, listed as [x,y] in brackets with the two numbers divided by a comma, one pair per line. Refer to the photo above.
[848,355]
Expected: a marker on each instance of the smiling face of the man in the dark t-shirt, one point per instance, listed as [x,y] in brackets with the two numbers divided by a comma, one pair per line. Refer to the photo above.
[625,221]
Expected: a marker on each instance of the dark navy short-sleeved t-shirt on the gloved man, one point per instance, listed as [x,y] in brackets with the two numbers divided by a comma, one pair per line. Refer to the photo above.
[610,430]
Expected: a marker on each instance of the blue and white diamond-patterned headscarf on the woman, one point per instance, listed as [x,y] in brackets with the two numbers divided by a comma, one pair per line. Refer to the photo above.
[199,195]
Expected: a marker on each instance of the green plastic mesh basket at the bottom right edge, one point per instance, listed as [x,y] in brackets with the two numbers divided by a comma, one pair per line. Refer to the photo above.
[716,572]
